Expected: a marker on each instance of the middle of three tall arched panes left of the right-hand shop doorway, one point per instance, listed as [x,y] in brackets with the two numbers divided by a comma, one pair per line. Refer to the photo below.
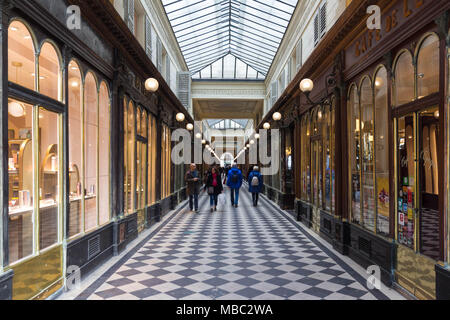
[367,154]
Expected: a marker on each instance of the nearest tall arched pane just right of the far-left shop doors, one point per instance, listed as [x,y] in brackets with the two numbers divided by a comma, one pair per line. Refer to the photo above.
[76,175]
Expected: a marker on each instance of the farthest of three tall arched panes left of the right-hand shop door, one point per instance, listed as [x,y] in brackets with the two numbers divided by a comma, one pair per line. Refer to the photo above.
[354,153]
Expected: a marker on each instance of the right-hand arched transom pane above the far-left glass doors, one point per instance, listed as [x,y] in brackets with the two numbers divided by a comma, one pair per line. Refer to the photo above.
[49,72]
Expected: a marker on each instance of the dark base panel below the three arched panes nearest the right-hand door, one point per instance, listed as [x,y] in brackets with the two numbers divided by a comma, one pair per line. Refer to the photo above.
[368,249]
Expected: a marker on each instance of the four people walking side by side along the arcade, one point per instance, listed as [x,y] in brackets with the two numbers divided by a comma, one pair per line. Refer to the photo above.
[233,178]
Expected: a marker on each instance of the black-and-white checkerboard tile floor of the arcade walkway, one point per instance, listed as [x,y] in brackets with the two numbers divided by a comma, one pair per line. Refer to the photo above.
[233,254]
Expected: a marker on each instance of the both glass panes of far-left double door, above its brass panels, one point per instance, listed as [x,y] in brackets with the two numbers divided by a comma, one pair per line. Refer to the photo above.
[34,140]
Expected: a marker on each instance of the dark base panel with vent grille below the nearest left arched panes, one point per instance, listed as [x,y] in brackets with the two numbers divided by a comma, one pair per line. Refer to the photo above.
[89,251]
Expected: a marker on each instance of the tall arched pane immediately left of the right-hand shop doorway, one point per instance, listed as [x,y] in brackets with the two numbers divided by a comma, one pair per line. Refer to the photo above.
[382,150]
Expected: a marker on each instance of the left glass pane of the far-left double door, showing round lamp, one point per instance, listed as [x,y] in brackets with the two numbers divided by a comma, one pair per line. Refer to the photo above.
[20,173]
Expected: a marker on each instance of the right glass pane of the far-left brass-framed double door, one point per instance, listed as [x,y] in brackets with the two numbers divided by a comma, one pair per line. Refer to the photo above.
[49,188]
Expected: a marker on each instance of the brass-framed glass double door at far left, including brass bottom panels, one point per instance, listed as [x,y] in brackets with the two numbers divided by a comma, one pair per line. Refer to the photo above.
[35,200]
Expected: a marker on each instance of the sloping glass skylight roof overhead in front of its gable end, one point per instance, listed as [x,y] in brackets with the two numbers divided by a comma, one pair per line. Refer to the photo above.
[250,30]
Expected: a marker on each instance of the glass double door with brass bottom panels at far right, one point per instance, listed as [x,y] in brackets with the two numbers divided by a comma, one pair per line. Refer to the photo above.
[417,208]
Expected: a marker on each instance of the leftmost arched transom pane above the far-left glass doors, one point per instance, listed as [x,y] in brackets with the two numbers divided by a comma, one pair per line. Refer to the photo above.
[21,55]
